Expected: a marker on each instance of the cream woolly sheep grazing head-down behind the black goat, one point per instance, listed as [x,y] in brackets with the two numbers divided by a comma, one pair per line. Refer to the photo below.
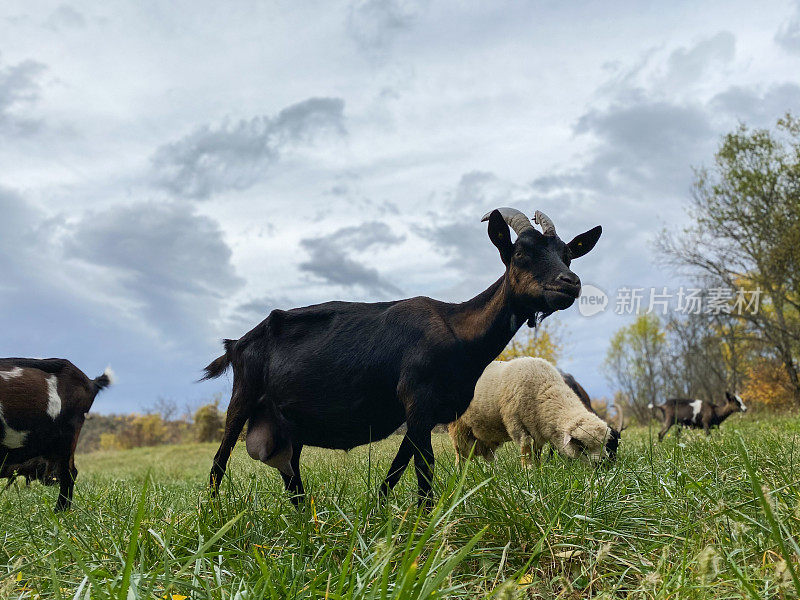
[527,400]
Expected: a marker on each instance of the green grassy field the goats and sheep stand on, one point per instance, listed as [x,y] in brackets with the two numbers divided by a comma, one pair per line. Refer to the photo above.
[689,518]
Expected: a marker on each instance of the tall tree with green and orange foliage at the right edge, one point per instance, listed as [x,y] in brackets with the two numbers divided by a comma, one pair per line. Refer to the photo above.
[746,235]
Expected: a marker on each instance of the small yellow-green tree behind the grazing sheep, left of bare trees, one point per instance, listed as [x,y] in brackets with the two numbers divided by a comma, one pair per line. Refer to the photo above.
[634,363]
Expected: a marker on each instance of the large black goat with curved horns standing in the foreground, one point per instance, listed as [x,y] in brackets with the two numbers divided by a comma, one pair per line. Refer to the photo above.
[342,374]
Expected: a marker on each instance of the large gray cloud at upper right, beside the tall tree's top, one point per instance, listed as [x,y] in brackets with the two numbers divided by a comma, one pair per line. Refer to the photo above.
[647,141]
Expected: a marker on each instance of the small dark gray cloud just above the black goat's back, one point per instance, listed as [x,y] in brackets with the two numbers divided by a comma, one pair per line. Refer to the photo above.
[330,257]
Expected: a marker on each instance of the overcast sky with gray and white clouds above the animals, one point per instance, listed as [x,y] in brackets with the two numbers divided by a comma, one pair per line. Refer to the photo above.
[170,172]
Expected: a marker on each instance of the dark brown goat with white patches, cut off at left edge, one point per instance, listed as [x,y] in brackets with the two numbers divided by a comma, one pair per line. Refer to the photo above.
[43,405]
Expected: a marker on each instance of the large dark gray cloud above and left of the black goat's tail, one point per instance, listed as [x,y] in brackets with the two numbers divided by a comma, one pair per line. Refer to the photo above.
[172,262]
